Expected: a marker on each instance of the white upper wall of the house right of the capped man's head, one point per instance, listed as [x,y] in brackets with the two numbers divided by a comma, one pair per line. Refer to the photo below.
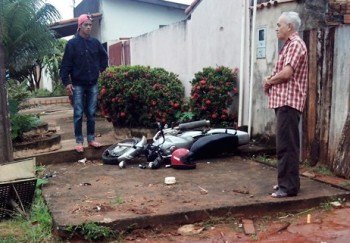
[125,18]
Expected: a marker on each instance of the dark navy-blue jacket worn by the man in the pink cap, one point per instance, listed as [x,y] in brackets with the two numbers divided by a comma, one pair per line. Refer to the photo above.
[83,60]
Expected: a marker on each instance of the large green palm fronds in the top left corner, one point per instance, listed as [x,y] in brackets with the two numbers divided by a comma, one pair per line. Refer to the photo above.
[26,37]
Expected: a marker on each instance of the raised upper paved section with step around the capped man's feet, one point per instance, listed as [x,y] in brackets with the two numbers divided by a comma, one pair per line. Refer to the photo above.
[59,117]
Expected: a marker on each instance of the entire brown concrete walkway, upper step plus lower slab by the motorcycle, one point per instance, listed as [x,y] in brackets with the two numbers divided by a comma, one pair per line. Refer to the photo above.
[133,197]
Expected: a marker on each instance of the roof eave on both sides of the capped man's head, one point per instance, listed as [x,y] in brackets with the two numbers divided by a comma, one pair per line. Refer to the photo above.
[69,27]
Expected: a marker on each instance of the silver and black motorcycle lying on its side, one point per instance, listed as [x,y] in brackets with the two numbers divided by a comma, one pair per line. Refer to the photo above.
[197,137]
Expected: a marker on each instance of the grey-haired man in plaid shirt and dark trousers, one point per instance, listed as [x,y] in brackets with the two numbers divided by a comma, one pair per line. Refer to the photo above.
[286,89]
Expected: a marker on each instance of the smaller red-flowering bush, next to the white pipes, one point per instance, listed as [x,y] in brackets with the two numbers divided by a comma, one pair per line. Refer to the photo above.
[214,95]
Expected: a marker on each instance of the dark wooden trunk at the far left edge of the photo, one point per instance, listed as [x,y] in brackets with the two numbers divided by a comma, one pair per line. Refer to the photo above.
[6,152]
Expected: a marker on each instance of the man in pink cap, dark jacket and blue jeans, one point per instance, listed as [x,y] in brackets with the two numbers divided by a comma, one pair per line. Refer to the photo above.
[83,60]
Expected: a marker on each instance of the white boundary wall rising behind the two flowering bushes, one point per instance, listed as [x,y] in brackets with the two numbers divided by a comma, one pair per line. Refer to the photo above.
[212,37]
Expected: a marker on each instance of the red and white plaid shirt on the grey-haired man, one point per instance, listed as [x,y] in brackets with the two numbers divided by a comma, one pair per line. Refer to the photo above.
[293,92]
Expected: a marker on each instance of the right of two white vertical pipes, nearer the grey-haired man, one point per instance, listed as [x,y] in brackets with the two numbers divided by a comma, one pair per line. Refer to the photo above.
[252,59]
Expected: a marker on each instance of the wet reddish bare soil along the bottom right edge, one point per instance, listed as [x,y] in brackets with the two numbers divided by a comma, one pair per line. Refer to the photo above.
[326,225]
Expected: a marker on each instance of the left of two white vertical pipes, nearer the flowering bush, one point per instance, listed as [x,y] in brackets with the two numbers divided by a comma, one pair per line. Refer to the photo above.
[241,66]
